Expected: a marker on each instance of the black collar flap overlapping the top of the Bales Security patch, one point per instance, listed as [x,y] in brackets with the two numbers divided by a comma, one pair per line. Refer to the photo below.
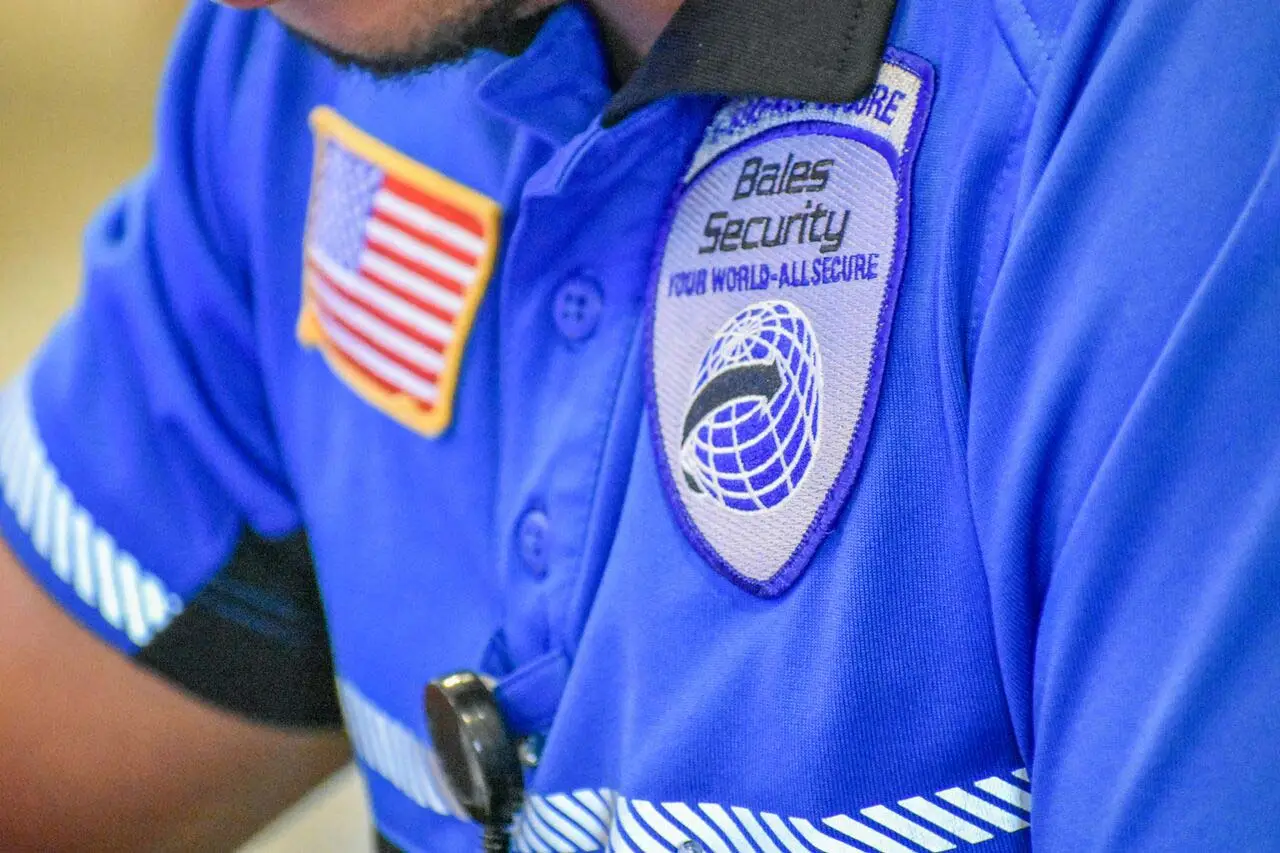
[815,51]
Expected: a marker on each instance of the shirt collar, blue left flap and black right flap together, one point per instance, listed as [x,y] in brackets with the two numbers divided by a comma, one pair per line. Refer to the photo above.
[815,51]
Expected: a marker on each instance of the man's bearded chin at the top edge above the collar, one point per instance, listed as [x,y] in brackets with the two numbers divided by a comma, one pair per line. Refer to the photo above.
[423,35]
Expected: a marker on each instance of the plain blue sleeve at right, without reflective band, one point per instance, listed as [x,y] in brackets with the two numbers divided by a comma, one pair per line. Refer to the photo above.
[1126,434]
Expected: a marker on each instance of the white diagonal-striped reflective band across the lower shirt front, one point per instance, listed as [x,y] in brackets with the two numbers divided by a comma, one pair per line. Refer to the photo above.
[604,820]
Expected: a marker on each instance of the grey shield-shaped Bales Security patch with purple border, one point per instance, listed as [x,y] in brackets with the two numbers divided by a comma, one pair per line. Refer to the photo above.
[771,314]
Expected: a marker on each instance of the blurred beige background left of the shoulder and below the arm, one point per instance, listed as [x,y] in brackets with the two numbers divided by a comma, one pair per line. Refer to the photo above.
[77,83]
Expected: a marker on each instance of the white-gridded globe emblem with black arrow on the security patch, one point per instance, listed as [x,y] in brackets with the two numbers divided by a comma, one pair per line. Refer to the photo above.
[751,430]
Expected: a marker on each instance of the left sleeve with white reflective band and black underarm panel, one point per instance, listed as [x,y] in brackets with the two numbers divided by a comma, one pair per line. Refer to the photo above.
[143,485]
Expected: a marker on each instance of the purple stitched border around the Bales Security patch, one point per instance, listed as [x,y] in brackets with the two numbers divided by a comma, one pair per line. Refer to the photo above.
[838,495]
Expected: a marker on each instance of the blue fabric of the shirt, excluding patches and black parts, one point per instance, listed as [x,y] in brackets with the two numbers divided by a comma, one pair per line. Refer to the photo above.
[1054,573]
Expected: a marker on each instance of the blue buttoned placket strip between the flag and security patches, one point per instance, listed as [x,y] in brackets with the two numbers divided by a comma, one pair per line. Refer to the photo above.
[572,312]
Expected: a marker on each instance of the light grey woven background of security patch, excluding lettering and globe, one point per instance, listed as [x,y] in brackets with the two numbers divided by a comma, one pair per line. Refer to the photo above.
[845,316]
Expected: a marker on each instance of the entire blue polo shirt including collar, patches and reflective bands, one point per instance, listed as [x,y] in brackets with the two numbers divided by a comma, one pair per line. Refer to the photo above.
[861,426]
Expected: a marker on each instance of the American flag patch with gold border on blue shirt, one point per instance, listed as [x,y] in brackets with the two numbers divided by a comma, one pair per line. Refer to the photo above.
[397,258]
